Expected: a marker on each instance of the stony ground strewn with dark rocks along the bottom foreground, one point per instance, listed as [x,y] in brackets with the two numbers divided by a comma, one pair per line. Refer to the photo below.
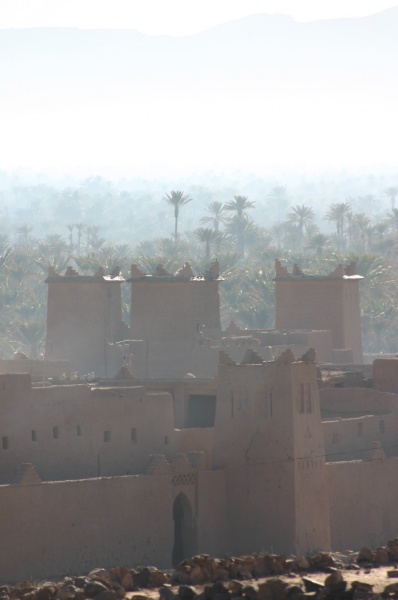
[363,575]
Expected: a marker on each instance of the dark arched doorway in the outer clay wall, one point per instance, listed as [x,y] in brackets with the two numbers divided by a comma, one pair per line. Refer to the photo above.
[185,539]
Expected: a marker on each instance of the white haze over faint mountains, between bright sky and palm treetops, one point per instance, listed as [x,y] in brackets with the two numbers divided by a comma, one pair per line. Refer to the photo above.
[261,94]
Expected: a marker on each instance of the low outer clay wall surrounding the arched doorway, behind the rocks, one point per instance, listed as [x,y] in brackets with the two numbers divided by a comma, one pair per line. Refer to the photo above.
[71,527]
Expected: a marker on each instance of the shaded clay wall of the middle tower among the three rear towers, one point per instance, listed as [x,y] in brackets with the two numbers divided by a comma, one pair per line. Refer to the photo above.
[171,317]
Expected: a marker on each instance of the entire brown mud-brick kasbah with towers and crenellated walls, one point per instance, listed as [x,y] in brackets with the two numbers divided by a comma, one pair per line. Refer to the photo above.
[149,442]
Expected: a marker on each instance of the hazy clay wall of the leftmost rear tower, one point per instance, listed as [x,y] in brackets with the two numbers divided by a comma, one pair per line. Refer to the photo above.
[82,316]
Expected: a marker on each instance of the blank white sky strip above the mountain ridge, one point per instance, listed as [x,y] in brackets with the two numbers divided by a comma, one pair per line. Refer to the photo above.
[173,17]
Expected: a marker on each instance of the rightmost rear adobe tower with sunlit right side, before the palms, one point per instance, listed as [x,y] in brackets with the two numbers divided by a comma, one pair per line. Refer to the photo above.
[321,302]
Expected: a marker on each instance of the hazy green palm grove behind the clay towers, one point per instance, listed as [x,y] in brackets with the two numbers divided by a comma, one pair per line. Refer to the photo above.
[351,229]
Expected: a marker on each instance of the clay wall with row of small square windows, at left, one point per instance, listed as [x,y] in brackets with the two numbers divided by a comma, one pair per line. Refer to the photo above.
[71,432]
